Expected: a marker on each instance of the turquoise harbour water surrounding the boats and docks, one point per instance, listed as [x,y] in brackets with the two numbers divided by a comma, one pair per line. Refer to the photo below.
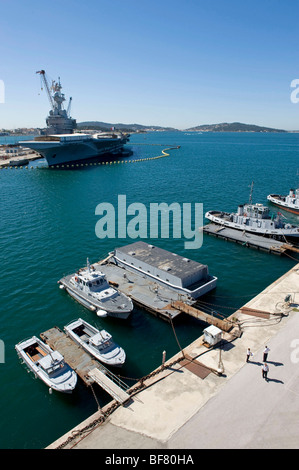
[47,229]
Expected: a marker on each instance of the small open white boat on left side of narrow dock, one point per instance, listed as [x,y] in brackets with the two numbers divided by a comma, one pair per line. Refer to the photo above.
[47,364]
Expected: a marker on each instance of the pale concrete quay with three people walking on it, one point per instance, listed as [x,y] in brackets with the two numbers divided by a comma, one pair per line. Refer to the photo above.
[181,407]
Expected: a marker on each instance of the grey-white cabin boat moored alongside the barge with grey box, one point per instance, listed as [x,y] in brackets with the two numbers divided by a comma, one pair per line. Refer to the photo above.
[91,288]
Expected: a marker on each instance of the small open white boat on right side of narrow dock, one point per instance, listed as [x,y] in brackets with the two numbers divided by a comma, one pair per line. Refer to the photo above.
[98,343]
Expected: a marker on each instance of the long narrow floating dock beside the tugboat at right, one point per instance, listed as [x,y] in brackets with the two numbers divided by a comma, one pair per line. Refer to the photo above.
[250,240]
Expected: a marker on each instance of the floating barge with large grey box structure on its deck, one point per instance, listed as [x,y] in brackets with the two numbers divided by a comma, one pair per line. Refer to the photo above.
[155,278]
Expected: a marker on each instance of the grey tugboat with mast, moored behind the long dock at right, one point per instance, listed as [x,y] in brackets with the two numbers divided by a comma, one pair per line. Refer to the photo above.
[255,218]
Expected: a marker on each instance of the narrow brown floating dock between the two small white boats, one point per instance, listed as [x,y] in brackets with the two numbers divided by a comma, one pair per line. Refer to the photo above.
[88,369]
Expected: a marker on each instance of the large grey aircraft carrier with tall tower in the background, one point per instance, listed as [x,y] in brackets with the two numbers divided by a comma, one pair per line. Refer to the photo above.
[61,145]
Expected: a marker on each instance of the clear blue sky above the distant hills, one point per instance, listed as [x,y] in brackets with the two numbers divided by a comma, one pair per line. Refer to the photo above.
[177,63]
